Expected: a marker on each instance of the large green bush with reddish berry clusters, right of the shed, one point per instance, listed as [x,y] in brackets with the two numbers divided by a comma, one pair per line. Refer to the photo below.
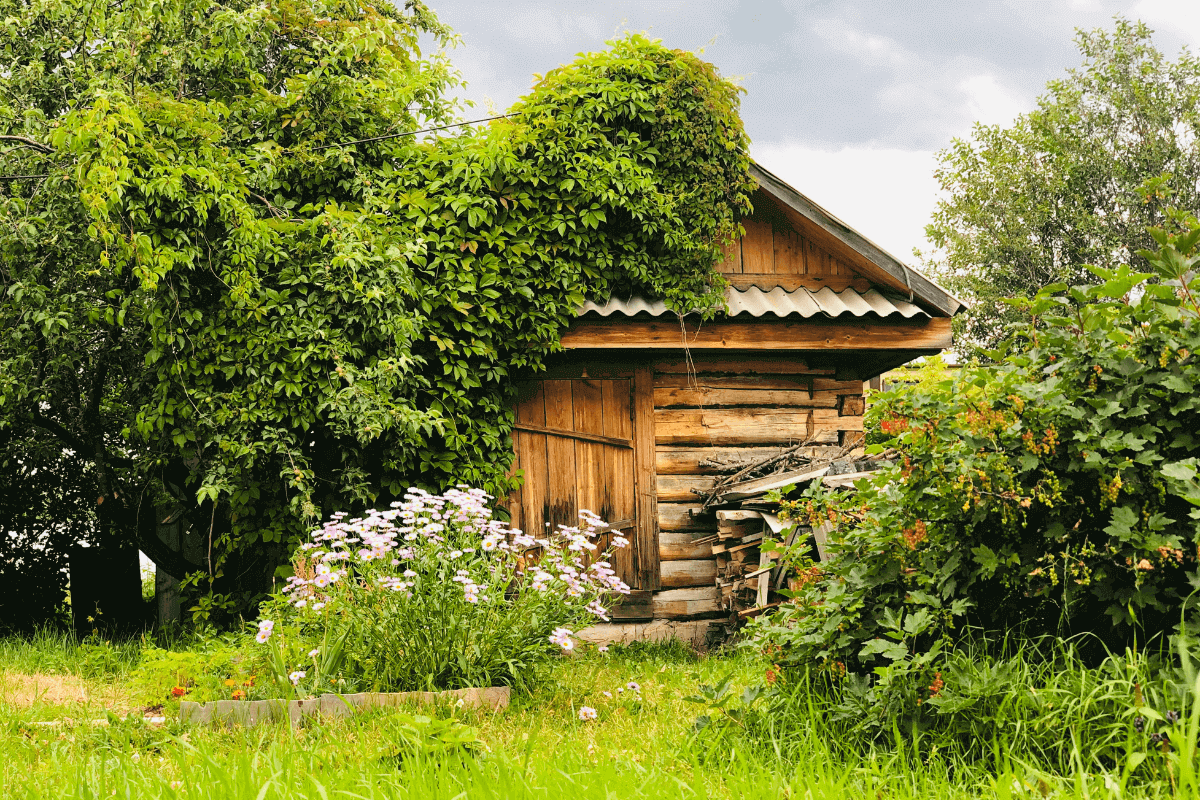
[1057,492]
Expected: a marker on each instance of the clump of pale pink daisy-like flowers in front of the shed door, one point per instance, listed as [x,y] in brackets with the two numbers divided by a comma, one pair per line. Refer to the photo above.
[434,593]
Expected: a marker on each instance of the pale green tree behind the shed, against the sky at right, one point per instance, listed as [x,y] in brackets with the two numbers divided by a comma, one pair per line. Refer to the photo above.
[1077,182]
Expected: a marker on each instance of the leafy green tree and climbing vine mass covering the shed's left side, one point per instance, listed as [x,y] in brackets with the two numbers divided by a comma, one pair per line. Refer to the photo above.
[241,290]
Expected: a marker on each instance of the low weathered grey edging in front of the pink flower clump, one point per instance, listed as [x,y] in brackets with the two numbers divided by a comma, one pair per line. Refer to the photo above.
[255,713]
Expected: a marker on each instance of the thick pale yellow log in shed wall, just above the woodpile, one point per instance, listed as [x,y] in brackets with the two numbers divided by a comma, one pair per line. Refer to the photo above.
[734,426]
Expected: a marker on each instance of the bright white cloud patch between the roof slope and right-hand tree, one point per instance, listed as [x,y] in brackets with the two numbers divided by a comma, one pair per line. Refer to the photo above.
[887,195]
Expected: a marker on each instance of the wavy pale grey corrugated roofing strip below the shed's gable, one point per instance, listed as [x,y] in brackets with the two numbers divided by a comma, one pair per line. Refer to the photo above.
[757,303]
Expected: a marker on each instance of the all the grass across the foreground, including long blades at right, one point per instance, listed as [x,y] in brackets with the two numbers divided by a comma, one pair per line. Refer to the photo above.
[1073,743]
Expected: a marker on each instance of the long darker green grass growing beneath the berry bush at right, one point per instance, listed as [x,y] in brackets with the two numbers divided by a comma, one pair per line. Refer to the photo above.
[991,705]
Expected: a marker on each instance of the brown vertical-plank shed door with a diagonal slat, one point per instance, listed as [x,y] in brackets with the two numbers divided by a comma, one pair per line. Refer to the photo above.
[575,442]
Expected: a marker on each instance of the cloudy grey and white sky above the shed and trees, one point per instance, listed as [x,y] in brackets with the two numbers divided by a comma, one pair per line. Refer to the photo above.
[848,100]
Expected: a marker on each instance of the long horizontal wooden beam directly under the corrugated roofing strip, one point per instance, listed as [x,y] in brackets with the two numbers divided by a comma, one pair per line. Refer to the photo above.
[760,335]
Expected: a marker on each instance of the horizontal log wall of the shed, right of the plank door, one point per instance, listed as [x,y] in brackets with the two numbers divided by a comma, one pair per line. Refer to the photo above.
[722,407]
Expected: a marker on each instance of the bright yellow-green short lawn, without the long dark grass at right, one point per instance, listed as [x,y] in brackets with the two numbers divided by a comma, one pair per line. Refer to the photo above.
[641,745]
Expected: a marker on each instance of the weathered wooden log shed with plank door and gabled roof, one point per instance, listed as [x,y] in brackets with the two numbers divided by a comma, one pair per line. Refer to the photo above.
[625,420]
